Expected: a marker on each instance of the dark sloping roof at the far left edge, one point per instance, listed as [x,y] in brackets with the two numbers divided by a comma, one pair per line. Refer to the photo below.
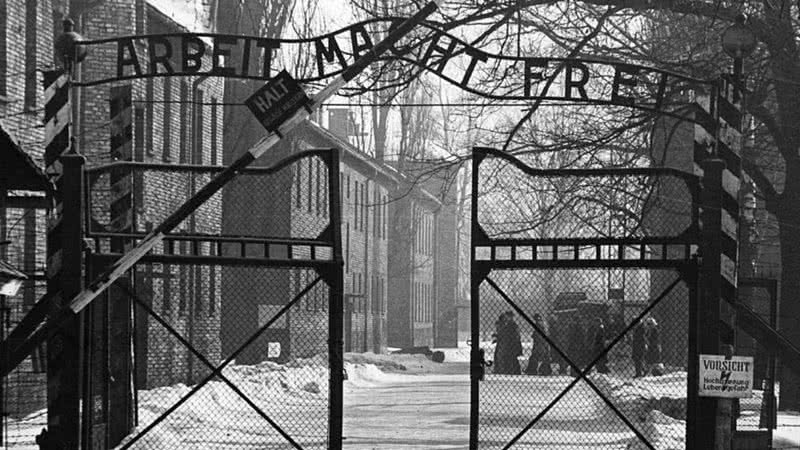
[17,169]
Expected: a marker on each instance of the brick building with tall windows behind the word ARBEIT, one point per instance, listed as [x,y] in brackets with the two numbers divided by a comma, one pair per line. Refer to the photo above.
[176,121]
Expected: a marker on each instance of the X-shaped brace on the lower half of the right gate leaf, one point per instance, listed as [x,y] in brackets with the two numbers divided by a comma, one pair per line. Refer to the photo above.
[581,373]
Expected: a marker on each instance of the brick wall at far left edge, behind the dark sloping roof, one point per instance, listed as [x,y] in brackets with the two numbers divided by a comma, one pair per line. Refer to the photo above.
[26,42]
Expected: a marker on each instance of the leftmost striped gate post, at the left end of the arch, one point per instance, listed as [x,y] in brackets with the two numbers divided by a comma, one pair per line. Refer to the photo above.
[64,266]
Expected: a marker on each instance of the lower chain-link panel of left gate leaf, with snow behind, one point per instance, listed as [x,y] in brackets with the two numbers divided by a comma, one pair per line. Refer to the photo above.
[227,370]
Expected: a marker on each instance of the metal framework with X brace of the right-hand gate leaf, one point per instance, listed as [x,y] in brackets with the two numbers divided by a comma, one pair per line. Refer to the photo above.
[686,264]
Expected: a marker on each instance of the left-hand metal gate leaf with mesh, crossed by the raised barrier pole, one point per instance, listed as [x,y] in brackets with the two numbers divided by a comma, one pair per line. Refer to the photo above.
[232,327]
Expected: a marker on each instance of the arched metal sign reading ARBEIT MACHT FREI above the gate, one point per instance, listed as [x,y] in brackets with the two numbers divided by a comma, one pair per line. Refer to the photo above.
[486,75]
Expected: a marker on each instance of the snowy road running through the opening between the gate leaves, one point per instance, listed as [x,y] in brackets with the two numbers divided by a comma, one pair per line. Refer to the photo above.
[431,411]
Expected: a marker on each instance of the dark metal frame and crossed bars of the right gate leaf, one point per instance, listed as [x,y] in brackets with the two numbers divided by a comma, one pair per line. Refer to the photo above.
[686,266]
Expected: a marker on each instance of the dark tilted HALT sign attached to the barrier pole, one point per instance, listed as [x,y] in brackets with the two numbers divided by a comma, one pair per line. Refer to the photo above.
[278,100]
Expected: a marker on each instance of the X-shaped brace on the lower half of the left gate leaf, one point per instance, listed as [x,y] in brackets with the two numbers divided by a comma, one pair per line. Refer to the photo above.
[216,371]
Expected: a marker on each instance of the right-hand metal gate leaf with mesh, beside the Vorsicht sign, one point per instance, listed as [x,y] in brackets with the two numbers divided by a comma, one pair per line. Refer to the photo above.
[583,286]
